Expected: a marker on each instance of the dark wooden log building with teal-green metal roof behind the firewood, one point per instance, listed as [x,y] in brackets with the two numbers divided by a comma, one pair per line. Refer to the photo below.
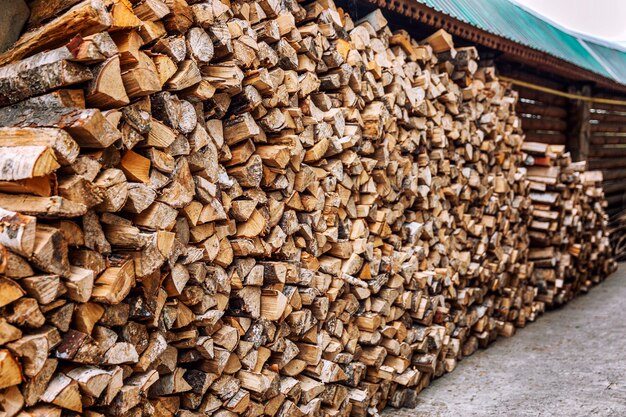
[572,88]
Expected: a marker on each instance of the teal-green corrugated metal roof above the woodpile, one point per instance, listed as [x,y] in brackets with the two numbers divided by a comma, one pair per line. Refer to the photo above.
[508,20]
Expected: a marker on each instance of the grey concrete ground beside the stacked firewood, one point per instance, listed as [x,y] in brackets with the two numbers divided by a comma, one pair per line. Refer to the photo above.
[571,362]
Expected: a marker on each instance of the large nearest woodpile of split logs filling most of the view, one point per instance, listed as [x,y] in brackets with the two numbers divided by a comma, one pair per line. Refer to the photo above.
[251,208]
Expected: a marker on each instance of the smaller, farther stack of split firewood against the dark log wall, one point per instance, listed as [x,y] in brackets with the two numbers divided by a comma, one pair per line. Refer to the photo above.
[570,245]
